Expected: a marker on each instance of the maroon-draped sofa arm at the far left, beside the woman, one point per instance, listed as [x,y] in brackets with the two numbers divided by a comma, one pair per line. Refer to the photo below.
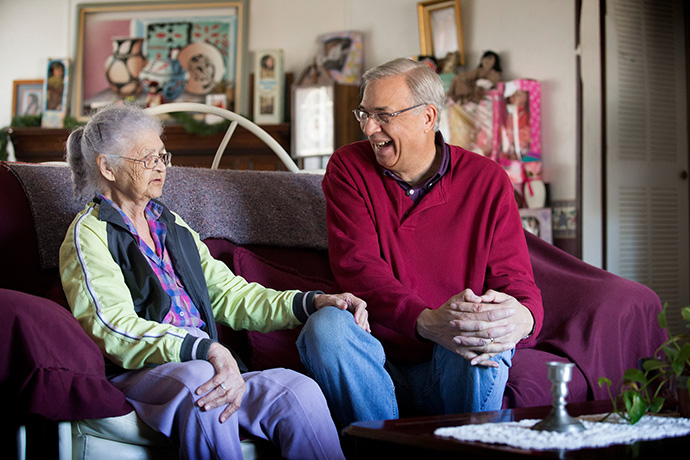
[49,366]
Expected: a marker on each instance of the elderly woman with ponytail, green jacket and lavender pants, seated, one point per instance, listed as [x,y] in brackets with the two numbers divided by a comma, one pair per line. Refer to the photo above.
[148,292]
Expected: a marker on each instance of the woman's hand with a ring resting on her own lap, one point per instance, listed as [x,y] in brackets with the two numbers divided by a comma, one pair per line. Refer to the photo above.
[226,387]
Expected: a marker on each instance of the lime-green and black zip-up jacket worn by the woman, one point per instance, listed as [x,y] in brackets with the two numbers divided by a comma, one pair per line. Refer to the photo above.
[119,302]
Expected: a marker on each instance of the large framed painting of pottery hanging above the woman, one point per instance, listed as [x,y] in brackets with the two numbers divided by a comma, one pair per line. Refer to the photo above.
[159,52]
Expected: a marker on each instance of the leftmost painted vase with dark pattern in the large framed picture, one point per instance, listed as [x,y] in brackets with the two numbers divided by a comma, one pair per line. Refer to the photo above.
[122,68]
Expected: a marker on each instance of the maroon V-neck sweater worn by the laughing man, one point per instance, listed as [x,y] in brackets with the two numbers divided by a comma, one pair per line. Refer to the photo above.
[400,258]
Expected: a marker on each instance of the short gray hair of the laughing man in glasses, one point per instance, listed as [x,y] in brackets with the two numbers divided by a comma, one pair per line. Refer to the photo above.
[425,84]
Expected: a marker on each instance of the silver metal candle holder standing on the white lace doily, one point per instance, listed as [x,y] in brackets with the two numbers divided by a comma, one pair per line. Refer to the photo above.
[559,420]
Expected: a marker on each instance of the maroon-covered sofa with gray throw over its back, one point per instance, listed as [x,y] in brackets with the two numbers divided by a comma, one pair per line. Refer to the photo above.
[268,227]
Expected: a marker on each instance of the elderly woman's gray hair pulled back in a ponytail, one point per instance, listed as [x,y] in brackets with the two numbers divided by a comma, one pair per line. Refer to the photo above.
[114,130]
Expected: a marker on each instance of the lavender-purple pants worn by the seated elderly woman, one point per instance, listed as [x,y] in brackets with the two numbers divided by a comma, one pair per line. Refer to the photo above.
[280,405]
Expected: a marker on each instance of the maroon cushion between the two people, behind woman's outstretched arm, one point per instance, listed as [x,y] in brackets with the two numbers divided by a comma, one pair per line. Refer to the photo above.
[275,349]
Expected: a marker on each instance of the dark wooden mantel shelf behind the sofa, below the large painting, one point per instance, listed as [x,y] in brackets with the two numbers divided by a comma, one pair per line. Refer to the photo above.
[245,151]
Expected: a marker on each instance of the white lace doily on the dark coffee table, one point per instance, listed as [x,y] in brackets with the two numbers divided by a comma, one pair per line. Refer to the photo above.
[614,430]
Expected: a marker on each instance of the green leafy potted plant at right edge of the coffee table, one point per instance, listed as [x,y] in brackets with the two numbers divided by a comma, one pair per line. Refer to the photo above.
[661,377]
